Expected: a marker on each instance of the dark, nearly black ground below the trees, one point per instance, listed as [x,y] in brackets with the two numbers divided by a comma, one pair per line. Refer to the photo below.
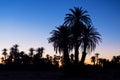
[88,73]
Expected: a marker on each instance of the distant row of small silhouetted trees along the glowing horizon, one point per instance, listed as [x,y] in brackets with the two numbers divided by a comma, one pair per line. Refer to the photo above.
[36,57]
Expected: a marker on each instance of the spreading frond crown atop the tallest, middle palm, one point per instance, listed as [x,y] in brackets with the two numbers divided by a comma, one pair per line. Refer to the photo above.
[78,15]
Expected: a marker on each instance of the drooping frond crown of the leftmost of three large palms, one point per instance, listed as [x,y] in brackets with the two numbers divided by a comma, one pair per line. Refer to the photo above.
[60,38]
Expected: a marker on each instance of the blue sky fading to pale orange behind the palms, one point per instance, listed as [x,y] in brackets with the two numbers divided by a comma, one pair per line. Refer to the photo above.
[28,23]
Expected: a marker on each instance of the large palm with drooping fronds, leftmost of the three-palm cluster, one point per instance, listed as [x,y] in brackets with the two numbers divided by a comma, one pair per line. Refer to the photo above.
[61,41]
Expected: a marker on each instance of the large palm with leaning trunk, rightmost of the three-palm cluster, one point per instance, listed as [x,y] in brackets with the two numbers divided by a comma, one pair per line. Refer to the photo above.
[89,39]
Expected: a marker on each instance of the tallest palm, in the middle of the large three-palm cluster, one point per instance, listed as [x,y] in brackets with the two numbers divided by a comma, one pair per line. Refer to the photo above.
[77,20]
